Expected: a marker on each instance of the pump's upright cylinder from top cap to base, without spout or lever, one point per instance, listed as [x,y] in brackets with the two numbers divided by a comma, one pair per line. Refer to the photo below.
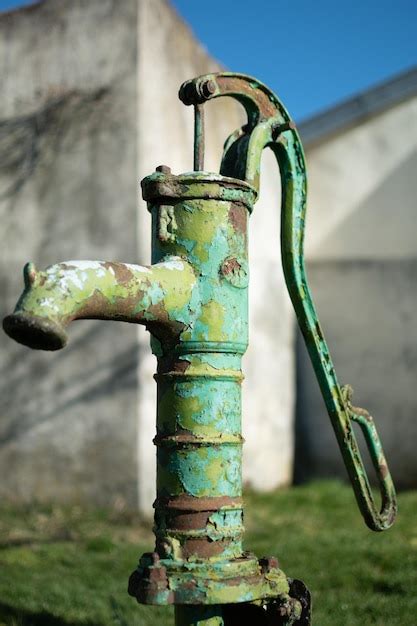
[198,510]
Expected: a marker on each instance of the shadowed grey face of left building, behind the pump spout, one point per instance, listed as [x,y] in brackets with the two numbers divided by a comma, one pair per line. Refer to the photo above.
[68,176]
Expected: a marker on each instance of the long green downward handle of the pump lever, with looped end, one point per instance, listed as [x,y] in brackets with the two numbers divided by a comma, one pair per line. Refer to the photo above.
[337,400]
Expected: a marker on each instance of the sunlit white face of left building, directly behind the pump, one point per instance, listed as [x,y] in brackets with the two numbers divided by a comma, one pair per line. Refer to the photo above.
[165,135]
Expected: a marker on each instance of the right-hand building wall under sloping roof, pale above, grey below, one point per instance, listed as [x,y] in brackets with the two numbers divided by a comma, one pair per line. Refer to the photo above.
[362,266]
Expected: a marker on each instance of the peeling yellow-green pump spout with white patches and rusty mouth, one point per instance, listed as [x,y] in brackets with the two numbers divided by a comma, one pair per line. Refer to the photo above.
[150,295]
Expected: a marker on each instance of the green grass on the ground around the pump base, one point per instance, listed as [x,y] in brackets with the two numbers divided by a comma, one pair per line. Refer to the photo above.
[65,566]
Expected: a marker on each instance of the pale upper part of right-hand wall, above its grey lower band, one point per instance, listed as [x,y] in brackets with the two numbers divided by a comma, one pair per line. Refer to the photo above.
[346,171]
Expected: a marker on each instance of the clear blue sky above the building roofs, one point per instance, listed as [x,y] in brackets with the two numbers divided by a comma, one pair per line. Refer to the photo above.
[313,53]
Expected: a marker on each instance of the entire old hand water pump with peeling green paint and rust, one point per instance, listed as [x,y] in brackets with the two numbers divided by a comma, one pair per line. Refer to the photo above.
[194,300]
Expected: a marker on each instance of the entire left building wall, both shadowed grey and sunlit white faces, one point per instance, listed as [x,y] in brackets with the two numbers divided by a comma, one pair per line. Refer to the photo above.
[89,107]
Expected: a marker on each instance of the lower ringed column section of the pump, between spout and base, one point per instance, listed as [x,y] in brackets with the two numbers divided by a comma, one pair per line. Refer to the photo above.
[199,475]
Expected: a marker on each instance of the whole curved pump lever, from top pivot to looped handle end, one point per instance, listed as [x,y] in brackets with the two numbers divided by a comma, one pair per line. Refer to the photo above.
[269,125]
